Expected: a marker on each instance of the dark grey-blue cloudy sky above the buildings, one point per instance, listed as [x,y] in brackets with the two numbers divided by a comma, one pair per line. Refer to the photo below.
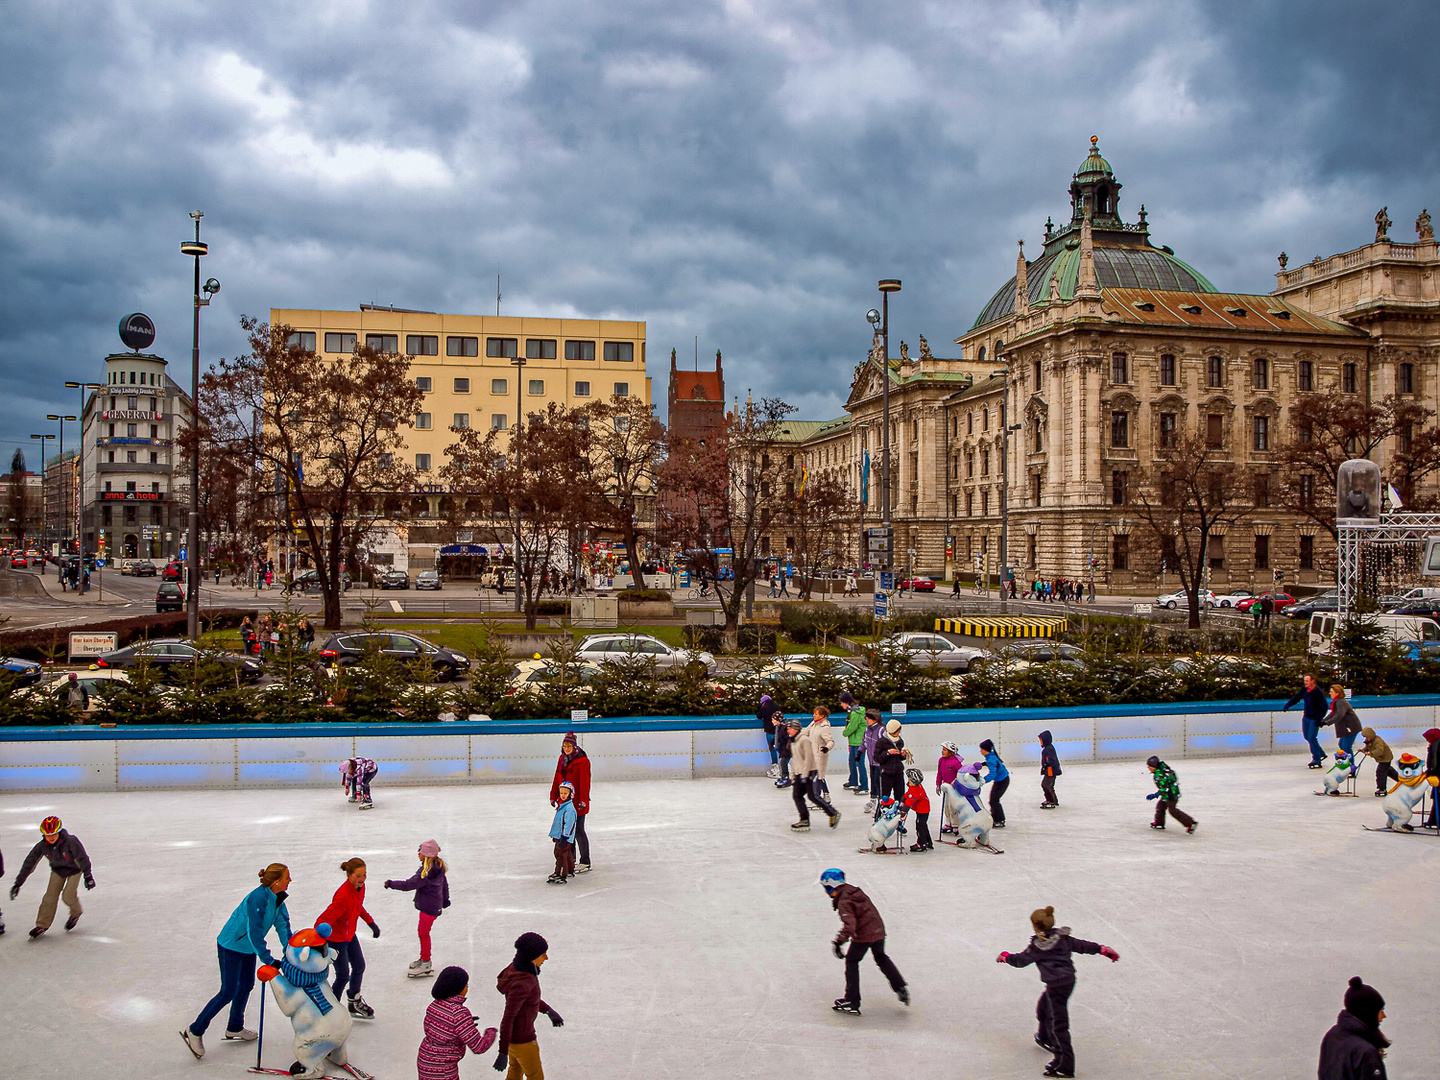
[739,171]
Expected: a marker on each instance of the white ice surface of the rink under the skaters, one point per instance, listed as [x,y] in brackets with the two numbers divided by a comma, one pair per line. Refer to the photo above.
[701,945]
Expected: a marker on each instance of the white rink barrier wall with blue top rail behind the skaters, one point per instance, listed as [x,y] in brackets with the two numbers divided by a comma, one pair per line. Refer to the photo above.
[35,760]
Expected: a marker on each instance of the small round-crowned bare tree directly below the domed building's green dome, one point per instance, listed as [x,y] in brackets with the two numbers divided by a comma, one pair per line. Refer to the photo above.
[1190,495]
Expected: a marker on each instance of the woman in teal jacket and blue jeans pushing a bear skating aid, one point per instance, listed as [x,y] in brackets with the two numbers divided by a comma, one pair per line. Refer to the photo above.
[240,944]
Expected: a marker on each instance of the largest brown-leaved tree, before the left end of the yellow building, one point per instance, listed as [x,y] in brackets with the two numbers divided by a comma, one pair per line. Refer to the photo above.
[326,433]
